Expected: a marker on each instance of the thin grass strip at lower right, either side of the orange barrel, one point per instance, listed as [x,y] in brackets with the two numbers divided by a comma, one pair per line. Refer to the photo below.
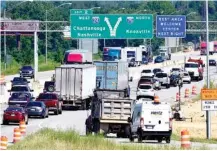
[198,140]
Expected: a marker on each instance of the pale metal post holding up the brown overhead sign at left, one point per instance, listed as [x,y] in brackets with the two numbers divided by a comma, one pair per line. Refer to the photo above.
[35,55]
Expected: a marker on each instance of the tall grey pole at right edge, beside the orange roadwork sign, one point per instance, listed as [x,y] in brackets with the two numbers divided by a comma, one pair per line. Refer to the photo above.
[208,116]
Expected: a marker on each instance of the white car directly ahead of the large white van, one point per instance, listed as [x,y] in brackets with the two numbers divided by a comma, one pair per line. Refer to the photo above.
[145,90]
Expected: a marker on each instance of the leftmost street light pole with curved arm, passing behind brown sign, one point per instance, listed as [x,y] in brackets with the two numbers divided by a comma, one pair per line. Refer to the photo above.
[5,40]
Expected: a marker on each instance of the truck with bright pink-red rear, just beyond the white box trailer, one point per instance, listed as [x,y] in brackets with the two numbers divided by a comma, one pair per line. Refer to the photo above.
[78,56]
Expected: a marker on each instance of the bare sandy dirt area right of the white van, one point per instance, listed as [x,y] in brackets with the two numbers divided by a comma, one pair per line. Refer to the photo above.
[197,128]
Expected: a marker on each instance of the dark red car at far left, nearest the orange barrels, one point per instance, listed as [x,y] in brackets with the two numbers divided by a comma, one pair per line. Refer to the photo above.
[14,114]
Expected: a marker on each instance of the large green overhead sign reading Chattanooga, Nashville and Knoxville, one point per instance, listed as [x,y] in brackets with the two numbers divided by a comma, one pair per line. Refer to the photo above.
[112,26]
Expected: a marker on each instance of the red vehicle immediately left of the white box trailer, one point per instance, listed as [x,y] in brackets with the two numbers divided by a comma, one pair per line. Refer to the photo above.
[51,101]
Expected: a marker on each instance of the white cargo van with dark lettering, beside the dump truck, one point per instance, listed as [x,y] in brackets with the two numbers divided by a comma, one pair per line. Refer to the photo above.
[151,121]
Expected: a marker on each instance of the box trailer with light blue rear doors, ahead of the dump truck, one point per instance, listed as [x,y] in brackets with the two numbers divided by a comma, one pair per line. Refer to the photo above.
[112,75]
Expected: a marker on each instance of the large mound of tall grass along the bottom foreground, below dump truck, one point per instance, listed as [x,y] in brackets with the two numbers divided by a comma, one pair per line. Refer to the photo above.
[70,140]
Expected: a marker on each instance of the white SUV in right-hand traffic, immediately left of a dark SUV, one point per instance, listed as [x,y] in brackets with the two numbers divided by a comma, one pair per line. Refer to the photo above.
[163,78]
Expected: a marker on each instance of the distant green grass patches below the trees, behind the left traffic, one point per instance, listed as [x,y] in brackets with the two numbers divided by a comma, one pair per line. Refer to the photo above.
[42,66]
